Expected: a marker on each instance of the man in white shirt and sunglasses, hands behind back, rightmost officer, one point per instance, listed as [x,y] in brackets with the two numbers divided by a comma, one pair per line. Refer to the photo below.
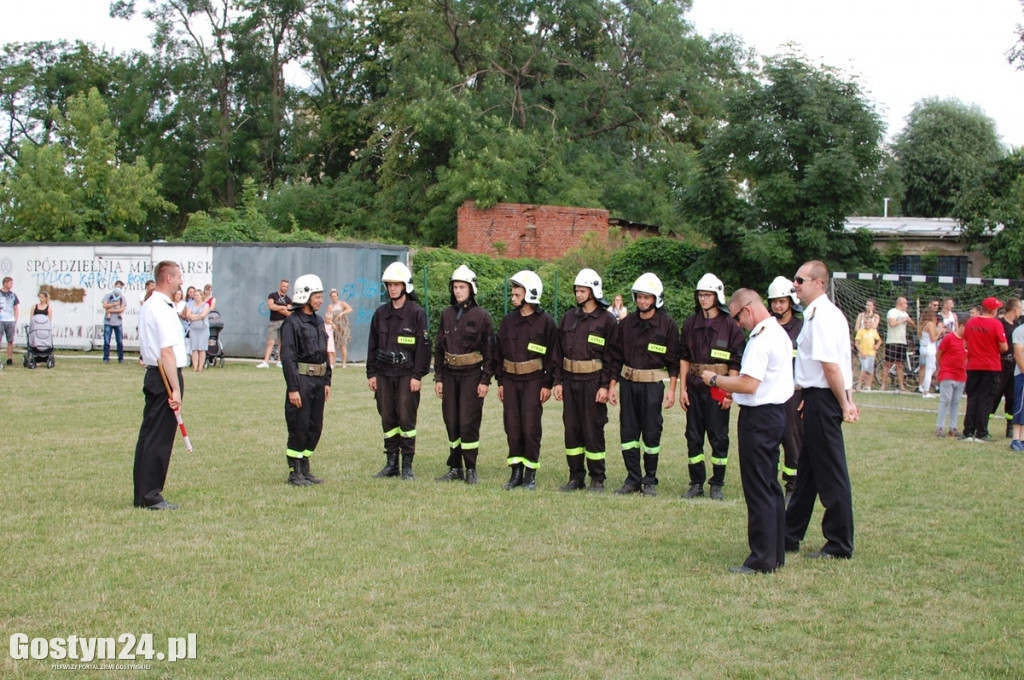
[825,374]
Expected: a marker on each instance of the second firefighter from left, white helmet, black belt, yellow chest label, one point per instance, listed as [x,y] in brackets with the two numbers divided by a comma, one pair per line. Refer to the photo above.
[398,358]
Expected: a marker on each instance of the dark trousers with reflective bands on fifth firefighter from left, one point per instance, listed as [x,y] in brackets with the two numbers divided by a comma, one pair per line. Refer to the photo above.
[584,419]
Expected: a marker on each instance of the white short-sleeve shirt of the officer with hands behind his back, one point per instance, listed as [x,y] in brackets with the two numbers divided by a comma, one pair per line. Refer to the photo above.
[826,337]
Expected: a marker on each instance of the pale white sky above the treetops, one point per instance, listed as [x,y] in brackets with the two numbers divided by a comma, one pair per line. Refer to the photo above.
[902,52]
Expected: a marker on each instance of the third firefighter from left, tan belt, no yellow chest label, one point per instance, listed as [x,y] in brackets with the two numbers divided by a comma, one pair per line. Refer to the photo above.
[462,373]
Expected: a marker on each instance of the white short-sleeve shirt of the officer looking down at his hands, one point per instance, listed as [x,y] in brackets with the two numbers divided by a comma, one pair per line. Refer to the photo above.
[769,358]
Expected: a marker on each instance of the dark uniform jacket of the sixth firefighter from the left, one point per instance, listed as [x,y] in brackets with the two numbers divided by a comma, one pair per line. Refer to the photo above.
[652,344]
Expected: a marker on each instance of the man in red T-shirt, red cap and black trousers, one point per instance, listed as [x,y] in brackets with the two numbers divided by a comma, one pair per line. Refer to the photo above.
[986,342]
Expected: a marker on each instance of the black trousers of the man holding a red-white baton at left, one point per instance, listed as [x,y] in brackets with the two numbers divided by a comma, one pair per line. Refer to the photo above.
[156,439]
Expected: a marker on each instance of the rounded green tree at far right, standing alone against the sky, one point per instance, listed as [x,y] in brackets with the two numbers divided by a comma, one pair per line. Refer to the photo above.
[946,148]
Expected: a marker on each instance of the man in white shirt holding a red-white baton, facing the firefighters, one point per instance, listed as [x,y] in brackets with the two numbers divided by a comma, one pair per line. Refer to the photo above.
[162,344]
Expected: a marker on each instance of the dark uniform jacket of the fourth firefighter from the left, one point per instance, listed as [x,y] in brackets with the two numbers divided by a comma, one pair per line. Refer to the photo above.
[525,338]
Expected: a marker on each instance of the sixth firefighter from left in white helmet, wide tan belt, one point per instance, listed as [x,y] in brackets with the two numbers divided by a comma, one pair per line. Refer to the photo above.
[645,353]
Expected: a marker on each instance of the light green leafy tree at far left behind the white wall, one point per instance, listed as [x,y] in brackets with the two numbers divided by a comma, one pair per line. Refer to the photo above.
[75,189]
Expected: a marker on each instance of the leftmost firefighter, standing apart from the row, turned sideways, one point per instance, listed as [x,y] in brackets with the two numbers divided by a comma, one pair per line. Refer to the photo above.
[308,376]
